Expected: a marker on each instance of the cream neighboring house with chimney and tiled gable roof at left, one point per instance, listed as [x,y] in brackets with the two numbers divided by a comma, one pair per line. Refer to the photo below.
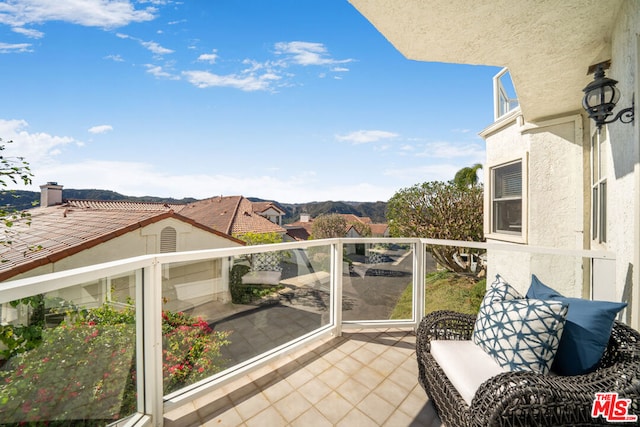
[76,233]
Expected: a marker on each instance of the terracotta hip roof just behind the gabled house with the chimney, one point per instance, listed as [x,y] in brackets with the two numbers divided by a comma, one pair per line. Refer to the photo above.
[230,214]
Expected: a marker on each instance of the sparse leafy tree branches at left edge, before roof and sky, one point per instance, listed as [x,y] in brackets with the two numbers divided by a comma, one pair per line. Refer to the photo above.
[12,169]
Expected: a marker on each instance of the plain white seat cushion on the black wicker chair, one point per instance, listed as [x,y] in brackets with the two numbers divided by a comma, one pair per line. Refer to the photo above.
[465,364]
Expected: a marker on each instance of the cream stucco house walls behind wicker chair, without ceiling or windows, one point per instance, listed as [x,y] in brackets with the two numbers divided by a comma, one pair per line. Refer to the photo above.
[557,186]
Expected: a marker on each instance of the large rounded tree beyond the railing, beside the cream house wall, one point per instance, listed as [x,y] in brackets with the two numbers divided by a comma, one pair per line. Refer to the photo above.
[438,210]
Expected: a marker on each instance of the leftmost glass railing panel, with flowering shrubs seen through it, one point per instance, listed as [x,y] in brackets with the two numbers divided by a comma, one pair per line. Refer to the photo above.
[68,357]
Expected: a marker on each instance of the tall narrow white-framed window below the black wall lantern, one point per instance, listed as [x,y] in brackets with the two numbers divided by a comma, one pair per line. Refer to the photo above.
[598,188]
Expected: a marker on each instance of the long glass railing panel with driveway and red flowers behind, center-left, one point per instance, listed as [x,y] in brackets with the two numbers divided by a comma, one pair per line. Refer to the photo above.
[221,312]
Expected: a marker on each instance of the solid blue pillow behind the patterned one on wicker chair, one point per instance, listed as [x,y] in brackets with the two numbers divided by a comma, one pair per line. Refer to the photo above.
[586,331]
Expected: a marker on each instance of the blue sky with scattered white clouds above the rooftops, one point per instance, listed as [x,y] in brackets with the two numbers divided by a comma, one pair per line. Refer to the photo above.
[291,100]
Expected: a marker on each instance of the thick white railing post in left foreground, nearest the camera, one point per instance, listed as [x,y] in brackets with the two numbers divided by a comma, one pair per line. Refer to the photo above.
[152,342]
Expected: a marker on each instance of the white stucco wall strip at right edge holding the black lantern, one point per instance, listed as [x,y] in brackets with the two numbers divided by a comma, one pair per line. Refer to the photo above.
[623,180]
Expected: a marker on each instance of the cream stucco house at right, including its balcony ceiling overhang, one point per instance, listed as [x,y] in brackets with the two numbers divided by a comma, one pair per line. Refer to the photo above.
[551,179]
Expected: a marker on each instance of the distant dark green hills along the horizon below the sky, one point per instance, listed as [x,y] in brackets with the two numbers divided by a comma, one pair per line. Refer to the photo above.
[375,210]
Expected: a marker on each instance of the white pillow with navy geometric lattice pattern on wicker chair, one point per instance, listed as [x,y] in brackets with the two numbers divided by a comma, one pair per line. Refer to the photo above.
[522,334]
